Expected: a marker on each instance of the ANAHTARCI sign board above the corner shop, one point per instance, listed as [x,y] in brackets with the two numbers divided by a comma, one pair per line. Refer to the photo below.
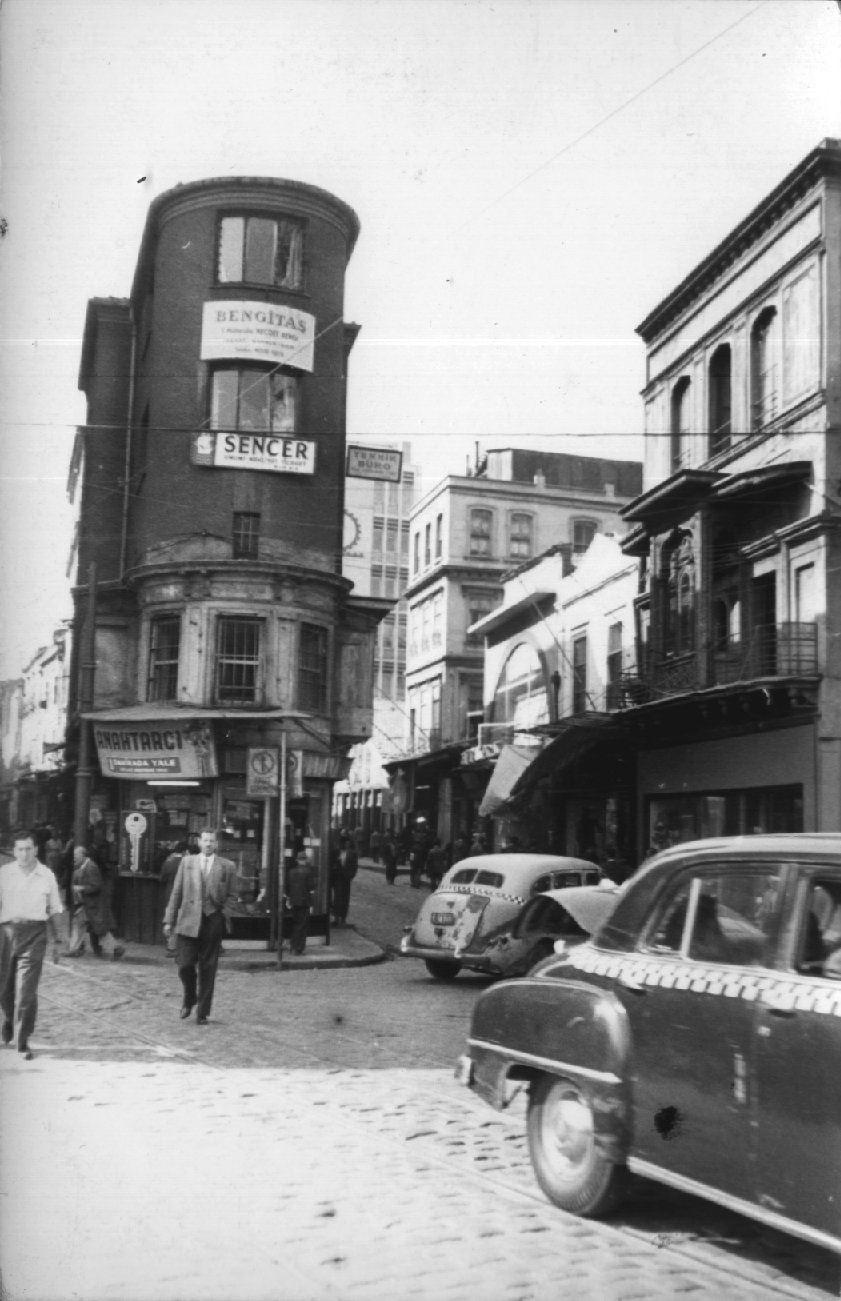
[157,749]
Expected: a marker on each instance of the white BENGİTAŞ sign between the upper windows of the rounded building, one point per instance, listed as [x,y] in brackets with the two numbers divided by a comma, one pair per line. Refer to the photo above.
[258,332]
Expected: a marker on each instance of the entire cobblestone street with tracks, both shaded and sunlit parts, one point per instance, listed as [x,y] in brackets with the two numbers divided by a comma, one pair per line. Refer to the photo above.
[312,1143]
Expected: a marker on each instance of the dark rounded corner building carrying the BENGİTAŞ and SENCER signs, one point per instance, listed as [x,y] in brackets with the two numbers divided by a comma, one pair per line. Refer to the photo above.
[221,630]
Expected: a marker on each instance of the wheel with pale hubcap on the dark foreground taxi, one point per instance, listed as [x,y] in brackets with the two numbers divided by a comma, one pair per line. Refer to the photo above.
[566,1157]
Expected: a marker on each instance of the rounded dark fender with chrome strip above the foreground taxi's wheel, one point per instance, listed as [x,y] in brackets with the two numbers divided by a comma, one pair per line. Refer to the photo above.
[528,1028]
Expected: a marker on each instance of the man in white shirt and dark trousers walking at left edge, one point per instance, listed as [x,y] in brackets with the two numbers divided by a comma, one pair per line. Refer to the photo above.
[31,906]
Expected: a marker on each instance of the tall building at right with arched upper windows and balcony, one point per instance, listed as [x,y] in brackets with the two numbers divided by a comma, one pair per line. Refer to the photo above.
[734,706]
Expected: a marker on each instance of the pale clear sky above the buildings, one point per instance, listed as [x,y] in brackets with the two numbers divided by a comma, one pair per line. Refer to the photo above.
[532,179]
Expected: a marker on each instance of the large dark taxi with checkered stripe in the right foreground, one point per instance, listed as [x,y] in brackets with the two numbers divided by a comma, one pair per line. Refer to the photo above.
[695,1040]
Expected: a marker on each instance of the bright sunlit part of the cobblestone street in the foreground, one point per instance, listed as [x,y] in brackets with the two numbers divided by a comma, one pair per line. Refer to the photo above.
[171,1182]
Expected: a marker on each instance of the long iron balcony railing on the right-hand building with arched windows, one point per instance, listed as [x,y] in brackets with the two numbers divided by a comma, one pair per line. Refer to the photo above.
[771,651]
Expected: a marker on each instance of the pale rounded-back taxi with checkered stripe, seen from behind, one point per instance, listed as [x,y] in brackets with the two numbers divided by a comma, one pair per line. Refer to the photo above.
[477,901]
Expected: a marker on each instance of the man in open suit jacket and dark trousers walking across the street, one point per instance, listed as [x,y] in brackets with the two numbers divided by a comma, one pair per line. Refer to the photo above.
[197,911]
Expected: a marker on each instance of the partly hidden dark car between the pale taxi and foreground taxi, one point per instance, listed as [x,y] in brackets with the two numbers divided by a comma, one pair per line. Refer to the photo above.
[550,923]
